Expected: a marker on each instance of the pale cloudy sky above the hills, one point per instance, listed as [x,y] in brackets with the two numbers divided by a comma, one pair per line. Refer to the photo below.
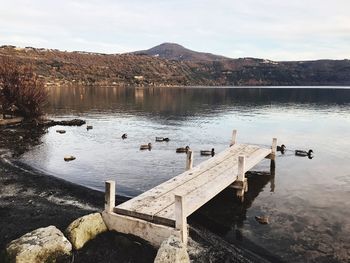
[270,29]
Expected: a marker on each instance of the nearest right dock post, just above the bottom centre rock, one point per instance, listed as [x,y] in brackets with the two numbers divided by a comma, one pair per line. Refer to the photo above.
[180,217]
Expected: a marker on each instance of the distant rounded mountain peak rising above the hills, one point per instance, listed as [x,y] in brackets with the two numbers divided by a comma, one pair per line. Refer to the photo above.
[173,51]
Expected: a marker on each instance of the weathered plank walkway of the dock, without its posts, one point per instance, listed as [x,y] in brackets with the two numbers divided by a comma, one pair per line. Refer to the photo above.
[199,185]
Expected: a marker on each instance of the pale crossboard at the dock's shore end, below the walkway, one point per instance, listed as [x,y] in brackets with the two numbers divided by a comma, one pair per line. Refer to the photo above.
[153,233]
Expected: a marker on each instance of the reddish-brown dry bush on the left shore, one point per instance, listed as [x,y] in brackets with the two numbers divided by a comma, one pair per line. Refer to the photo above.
[21,89]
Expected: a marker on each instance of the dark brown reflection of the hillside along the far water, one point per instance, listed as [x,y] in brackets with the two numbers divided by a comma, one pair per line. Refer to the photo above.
[186,101]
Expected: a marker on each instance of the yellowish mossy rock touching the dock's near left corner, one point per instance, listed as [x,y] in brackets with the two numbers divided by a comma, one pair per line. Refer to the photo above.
[84,229]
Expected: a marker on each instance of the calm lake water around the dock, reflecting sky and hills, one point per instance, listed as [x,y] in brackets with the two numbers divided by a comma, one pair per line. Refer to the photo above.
[308,201]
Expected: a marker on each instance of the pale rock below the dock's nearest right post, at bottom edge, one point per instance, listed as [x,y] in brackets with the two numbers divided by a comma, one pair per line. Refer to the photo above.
[172,250]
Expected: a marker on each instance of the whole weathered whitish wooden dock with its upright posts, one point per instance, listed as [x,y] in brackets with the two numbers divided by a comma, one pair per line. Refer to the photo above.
[163,210]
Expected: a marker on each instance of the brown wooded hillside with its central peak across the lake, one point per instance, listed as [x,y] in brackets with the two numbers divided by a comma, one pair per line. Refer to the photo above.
[176,66]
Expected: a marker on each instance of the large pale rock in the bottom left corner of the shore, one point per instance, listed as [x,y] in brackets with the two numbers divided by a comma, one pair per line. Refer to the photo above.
[47,244]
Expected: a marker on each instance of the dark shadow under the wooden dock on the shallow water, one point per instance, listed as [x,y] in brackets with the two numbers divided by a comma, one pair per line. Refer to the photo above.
[226,214]
